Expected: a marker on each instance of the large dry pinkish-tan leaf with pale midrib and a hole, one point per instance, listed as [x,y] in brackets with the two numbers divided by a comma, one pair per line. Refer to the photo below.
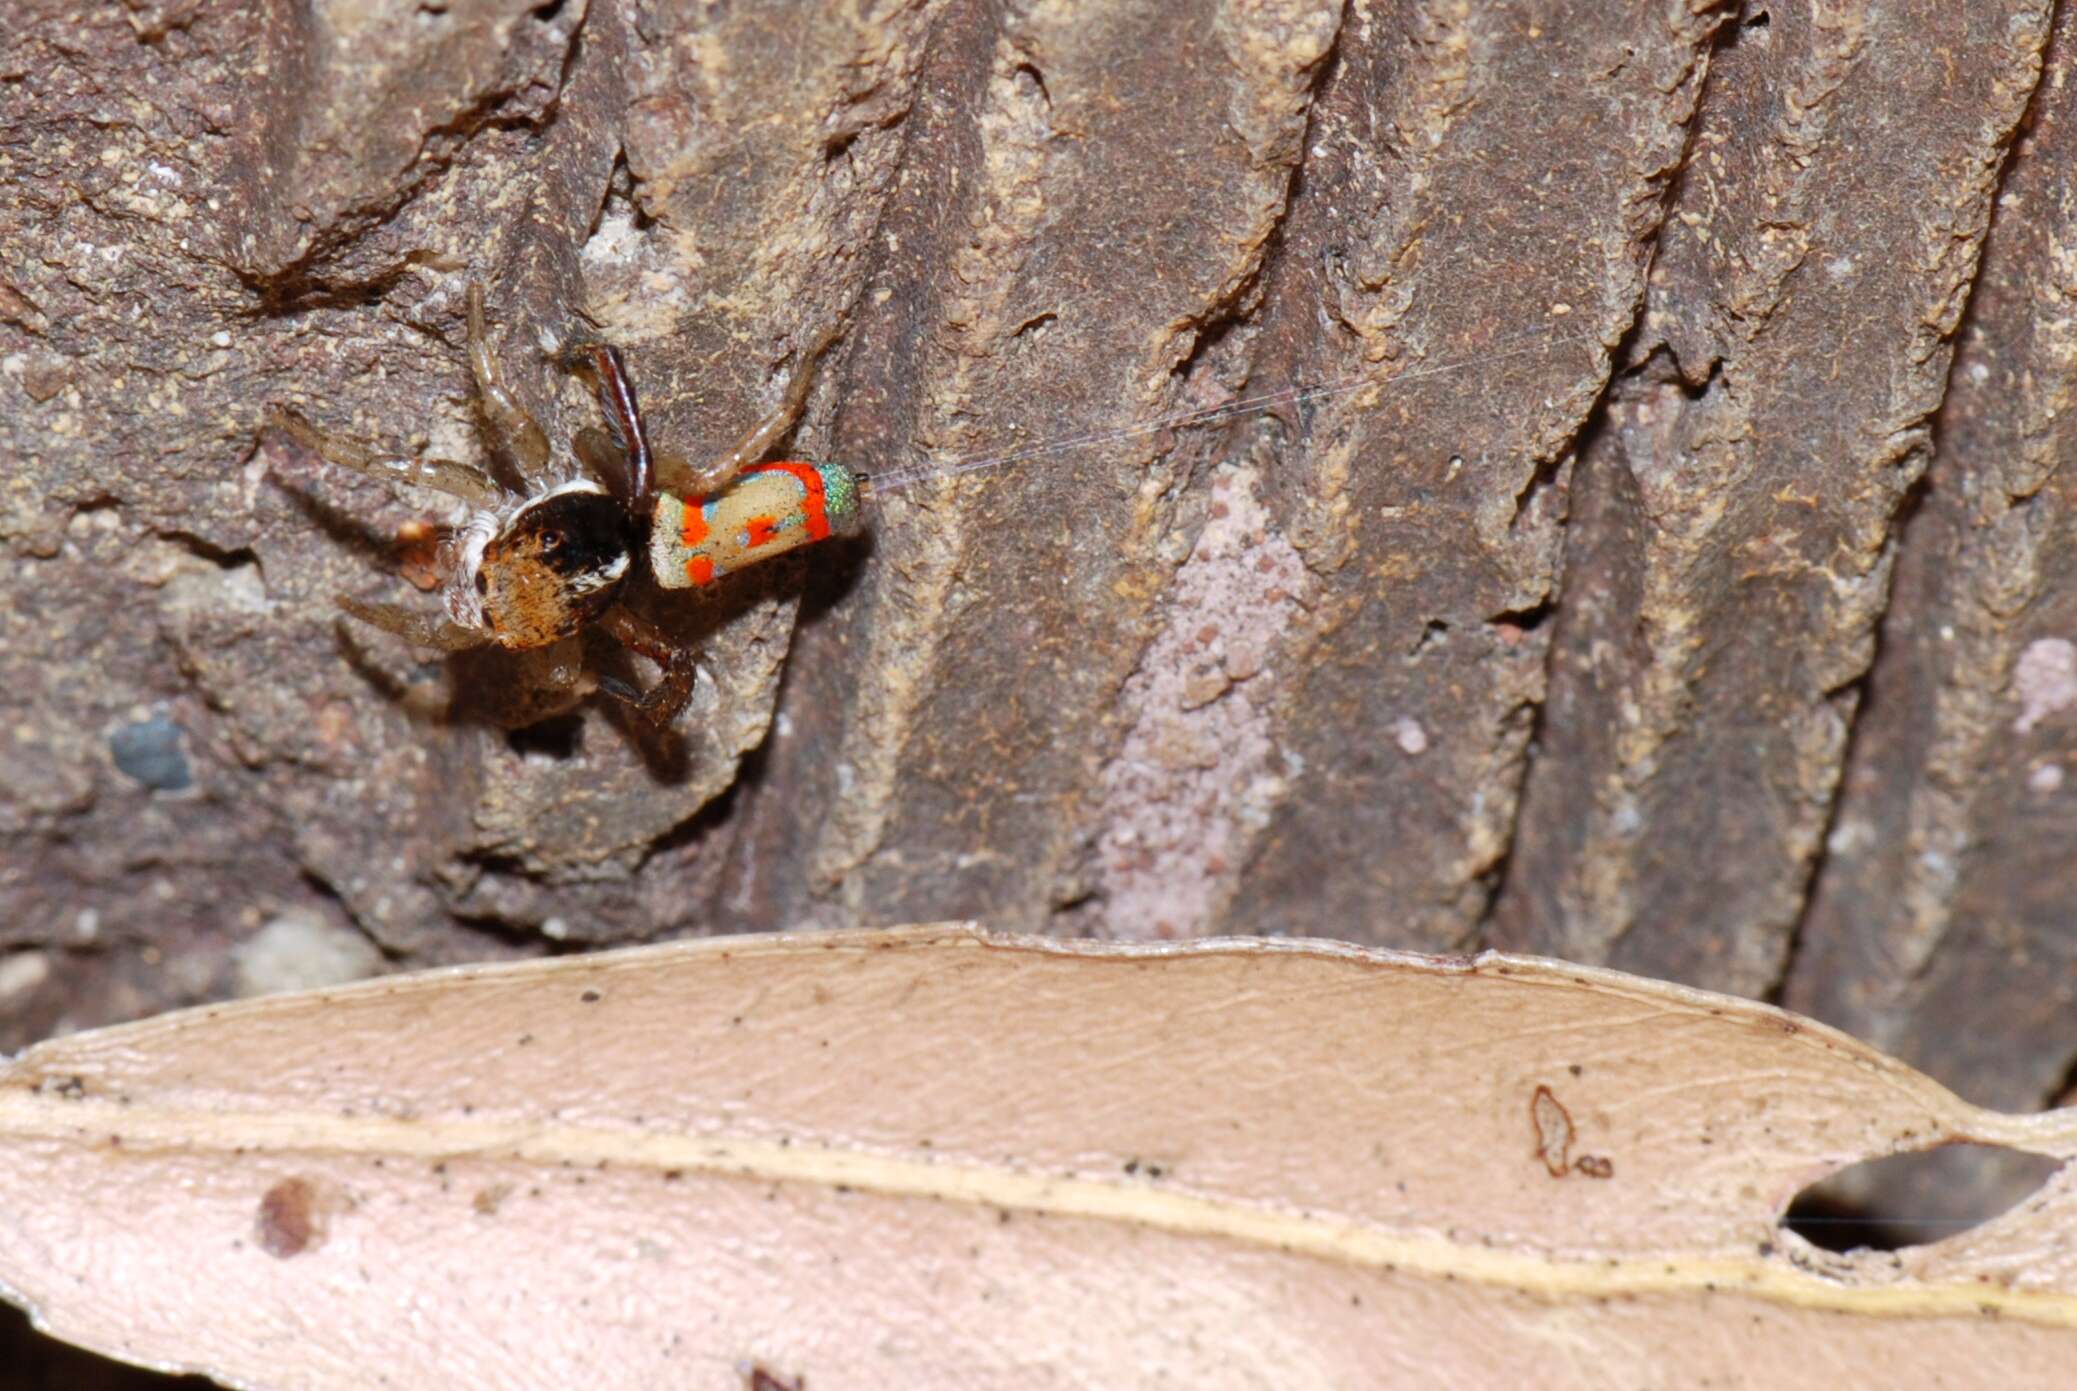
[936,1160]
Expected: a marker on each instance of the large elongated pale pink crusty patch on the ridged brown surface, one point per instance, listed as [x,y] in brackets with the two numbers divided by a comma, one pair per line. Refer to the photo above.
[1197,775]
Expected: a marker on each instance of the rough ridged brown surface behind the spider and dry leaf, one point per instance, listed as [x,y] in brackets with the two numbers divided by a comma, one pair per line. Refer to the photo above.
[1654,547]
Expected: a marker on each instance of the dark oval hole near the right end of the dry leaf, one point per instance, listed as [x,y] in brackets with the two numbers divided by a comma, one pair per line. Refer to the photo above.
[1916,1199]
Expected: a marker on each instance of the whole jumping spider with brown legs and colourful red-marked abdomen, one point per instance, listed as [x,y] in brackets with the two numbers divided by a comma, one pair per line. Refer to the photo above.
[533,566]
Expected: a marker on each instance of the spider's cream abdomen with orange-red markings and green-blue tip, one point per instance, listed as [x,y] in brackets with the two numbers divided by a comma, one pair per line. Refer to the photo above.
[772,508]
